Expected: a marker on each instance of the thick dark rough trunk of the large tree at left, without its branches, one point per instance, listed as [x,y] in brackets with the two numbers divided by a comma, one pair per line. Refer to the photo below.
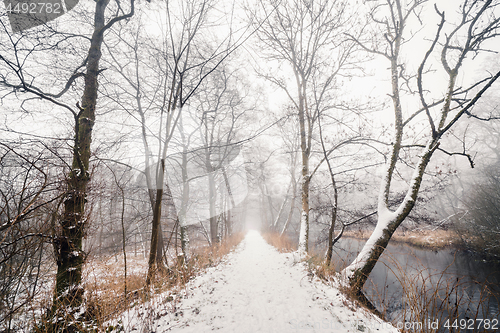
[68,295]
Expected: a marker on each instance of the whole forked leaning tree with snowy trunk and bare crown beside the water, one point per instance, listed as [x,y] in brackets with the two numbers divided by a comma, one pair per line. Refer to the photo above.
[454,42]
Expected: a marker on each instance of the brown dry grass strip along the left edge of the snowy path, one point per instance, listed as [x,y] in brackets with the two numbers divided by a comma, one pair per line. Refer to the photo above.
[105,282]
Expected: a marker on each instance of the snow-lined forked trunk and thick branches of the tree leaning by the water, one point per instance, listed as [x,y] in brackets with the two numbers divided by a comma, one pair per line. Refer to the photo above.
[473,14]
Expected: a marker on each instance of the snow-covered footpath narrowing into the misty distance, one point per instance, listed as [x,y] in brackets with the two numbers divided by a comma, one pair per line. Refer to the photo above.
[256,289]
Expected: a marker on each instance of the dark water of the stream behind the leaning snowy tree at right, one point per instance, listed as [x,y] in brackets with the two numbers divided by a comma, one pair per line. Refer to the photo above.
[451,290]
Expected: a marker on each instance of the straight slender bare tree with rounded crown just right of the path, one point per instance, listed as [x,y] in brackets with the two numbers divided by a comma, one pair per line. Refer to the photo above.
[307,38]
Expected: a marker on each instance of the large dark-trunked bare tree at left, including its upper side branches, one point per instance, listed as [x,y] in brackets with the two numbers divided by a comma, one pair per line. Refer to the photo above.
[17,61]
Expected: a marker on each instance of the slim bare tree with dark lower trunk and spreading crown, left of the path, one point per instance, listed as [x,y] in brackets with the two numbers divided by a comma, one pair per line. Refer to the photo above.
[161,80]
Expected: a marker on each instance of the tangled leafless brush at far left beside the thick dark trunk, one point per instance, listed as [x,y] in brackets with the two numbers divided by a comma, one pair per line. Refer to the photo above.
[28,193]
